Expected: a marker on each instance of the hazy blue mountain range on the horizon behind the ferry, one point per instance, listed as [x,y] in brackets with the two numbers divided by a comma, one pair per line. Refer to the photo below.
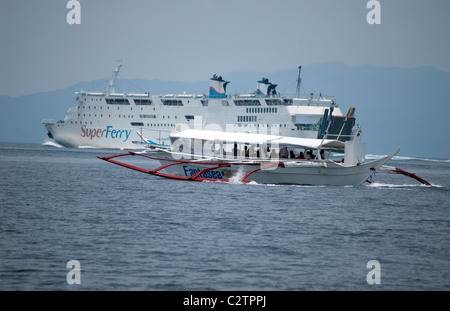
[395,106]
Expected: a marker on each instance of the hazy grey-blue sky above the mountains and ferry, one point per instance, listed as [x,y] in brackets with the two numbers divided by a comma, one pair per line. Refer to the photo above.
[191,40]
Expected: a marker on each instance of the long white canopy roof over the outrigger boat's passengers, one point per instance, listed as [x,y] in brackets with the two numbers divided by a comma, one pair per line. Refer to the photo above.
[249,138]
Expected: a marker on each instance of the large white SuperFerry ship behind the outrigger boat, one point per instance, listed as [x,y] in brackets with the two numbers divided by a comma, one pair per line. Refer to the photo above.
[127,120]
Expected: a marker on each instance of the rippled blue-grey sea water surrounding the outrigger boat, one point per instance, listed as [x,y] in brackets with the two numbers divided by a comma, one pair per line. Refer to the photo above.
[130,231]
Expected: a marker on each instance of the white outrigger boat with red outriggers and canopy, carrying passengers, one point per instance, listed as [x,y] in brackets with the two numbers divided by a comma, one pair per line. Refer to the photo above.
[200,155]
